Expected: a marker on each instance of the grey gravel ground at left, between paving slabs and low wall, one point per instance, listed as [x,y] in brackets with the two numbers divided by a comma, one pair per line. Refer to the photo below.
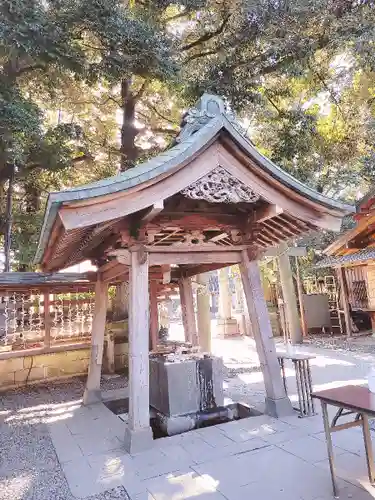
[29,469]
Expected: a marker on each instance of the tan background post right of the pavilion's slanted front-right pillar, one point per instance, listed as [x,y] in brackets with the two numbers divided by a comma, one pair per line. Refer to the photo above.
[290,300]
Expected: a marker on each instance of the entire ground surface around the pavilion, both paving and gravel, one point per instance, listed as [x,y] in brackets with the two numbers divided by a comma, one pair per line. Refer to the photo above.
[256,458]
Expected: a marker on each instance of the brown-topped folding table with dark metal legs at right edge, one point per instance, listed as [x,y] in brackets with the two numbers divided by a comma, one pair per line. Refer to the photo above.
[350,399]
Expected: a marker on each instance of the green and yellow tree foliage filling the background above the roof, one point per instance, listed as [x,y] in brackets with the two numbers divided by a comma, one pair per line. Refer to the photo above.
[74,71]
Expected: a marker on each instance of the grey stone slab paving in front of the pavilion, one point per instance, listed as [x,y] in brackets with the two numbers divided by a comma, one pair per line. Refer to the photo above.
[258,457]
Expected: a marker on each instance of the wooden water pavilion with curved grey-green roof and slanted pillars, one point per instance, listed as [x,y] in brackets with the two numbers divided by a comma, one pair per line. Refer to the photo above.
[210,201]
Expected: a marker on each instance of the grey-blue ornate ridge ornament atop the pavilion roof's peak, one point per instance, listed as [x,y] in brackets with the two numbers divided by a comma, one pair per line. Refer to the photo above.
[208,107]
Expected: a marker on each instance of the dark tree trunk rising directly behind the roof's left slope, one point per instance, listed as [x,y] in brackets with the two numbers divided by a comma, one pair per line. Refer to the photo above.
[128,149]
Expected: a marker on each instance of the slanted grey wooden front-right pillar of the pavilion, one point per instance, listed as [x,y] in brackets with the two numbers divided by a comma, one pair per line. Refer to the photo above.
[277,403]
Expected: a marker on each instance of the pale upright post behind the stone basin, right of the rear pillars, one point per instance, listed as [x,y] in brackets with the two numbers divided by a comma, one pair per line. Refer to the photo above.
[204,313]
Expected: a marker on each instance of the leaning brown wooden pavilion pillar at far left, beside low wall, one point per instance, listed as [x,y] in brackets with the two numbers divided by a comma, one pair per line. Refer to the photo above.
[92,391]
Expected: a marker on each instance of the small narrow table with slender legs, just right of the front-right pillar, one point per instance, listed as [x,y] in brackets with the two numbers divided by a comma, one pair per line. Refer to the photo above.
[301,364]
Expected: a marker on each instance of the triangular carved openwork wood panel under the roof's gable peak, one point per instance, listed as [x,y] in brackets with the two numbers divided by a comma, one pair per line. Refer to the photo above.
[219,186]
